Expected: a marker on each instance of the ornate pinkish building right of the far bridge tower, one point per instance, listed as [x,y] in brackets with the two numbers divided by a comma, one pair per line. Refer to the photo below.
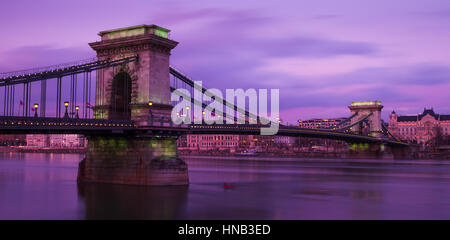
[420,128]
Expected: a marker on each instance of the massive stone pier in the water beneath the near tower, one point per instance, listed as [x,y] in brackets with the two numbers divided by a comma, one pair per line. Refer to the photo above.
[137,160]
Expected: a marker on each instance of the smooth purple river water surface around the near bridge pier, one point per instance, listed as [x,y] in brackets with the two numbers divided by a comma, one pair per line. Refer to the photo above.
[43,186]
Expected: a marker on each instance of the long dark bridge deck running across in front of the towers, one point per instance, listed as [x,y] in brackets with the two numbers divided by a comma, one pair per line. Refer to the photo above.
[39,125]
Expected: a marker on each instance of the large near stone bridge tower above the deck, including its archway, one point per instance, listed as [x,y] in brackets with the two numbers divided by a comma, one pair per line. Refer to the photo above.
[123,92]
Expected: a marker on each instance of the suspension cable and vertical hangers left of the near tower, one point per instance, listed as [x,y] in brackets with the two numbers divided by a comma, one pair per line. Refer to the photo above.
[19,87]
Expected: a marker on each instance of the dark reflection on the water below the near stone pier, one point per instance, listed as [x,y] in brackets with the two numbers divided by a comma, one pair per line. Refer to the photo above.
[110,201]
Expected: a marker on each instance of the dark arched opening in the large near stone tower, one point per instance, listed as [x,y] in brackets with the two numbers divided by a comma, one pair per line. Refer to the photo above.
[121,97]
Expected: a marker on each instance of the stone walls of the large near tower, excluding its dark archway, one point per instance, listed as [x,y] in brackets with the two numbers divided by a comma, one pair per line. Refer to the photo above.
[149,75]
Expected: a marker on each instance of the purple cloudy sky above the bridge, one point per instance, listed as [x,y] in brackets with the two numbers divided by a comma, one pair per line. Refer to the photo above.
[322,54]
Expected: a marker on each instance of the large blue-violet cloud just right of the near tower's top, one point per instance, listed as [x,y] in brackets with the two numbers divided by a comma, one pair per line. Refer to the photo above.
[226,48]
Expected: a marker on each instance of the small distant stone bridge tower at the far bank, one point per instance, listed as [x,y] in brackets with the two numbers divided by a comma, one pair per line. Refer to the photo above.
[364,109]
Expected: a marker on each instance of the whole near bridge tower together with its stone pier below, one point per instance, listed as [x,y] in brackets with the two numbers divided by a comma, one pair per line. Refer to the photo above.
[124,92]
